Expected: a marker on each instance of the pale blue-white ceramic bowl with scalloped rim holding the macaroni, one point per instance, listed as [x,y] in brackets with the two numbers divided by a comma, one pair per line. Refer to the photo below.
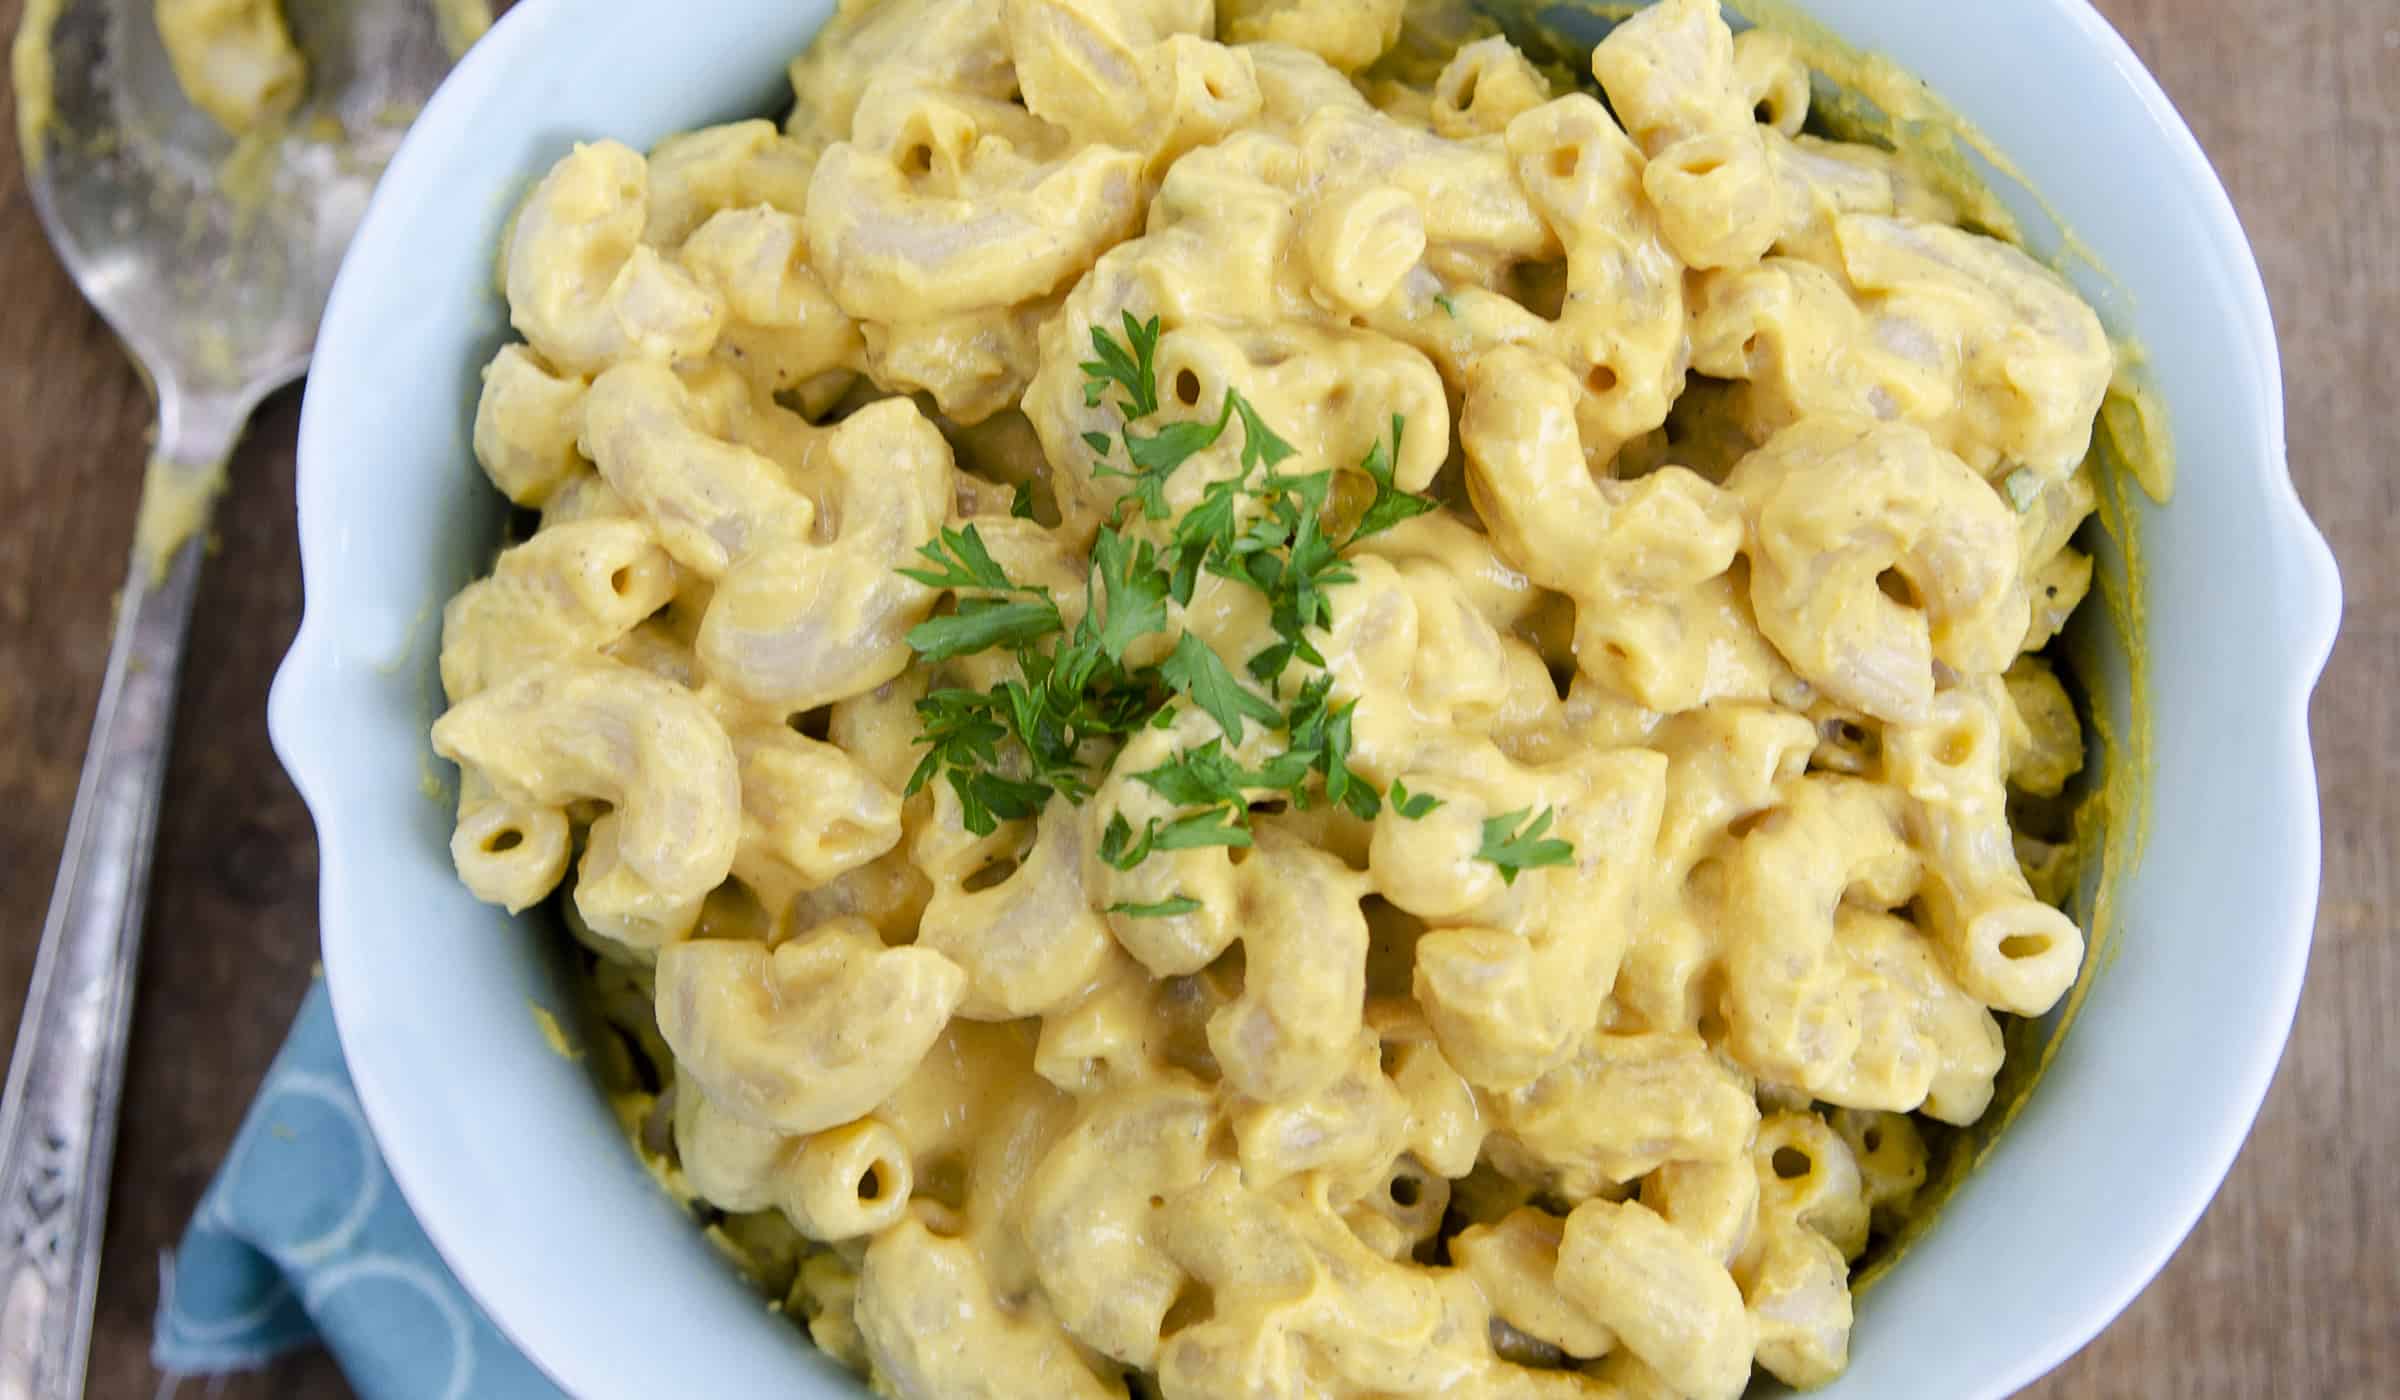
[517,1168]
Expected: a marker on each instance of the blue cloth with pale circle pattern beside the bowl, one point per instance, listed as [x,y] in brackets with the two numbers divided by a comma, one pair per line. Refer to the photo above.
[304,1238]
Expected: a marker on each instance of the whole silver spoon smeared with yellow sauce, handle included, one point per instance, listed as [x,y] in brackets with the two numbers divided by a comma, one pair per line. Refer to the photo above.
[212,265]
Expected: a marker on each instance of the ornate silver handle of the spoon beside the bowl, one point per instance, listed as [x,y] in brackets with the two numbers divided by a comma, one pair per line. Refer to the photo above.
[59,1120]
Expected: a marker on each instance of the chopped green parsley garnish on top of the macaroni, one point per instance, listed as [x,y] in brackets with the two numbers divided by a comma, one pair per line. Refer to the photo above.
[1055,729]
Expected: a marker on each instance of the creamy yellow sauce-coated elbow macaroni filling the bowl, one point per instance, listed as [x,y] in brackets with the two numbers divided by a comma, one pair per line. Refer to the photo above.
[1350,1111]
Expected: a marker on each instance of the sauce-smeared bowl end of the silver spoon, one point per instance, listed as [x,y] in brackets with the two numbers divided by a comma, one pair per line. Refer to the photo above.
[210,253]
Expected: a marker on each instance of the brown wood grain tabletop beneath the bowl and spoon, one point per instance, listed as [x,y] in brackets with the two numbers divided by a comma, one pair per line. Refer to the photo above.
[2291,1288]
